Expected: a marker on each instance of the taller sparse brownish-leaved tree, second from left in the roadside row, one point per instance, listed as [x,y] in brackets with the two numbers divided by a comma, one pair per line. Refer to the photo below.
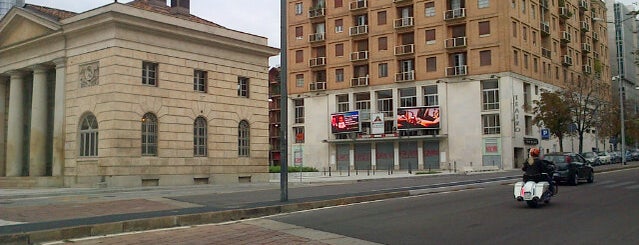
[584,99]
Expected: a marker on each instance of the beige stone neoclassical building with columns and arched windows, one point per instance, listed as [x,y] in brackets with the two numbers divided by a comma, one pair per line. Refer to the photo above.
[135,94]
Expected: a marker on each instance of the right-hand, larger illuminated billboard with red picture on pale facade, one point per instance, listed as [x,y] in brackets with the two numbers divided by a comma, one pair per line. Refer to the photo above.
[418,118]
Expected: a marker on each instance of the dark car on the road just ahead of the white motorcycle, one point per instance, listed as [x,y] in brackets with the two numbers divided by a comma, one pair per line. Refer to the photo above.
[570,167]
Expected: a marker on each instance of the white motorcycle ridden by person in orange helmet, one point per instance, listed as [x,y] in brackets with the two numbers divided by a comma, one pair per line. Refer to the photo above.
[535,192]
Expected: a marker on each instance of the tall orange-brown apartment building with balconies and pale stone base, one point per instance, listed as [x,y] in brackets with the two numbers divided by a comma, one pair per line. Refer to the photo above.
[433,84]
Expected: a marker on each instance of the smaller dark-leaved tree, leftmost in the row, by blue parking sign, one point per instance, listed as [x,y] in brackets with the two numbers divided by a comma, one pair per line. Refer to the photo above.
[553,113]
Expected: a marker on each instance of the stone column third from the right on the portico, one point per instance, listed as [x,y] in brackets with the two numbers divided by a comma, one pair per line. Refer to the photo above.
[15,128]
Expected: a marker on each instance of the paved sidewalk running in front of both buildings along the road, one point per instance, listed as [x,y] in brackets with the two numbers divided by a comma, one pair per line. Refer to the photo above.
[56,214]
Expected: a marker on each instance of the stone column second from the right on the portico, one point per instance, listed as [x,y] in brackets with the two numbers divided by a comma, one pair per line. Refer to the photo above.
[38,136]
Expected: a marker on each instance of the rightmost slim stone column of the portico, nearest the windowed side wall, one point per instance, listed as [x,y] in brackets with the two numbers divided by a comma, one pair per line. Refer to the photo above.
[58,117]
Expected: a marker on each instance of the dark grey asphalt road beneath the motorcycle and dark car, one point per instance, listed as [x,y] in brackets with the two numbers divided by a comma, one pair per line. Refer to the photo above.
[604,212]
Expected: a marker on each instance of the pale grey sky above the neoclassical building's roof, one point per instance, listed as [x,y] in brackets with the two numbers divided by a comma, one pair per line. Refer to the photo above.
[259,17]
